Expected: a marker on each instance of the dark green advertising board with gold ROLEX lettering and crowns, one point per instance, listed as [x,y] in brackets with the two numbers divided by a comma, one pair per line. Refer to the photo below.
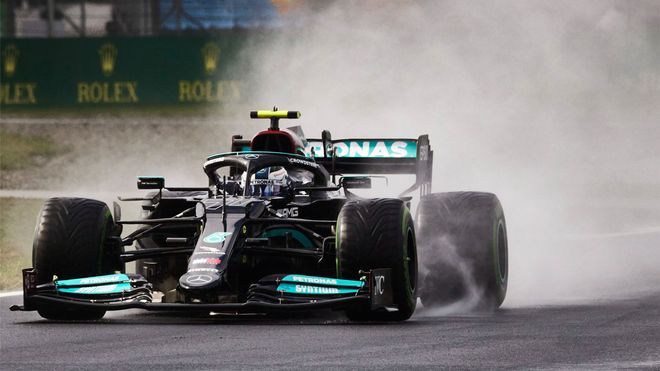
[118,71]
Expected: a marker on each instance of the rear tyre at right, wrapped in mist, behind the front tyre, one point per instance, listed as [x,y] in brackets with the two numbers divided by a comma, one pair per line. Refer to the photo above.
[462,242]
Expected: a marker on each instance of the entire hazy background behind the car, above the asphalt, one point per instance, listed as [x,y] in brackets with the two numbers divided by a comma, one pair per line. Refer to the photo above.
[554,106]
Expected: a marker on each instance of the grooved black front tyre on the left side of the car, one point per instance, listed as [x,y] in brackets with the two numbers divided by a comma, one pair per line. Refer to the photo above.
[74,237]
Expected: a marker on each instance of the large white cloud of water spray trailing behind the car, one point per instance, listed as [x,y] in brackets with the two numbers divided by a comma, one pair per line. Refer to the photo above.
[553,106]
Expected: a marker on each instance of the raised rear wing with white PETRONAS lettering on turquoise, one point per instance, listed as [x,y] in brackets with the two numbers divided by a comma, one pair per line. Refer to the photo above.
[376,156]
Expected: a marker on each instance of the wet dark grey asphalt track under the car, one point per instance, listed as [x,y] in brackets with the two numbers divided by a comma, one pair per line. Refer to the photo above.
[603,335]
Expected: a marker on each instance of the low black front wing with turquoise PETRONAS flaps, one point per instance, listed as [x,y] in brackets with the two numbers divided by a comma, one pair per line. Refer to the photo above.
[272,294]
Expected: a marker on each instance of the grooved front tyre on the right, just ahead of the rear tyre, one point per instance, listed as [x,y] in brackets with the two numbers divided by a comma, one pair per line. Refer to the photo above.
[379,233]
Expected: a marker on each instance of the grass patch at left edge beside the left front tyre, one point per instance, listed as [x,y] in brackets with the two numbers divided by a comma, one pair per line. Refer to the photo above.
[17,222]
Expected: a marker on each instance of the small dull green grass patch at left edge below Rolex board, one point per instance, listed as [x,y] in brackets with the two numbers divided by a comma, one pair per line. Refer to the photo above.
[21,151]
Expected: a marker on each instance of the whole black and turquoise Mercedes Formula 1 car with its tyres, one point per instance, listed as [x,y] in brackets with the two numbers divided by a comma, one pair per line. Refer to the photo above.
[278,228]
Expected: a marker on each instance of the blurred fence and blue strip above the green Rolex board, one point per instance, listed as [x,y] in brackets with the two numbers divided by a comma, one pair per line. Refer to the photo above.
[97,18]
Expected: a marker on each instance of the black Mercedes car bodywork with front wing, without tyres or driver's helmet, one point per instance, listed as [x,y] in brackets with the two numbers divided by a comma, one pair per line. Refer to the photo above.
[223,248]
